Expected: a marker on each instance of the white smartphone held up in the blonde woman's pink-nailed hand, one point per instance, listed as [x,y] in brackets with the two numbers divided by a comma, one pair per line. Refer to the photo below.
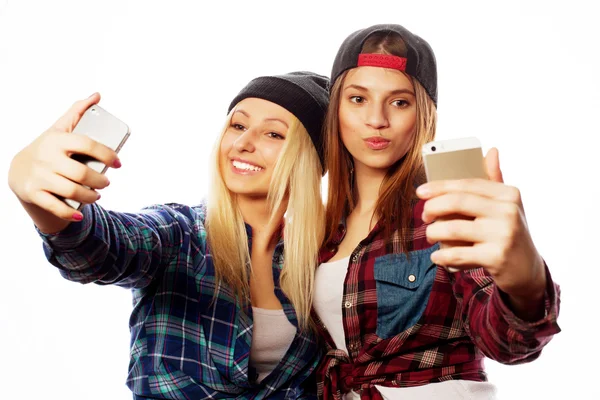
[104,128]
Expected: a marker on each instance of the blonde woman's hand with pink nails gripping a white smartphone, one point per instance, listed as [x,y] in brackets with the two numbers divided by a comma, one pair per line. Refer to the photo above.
[45,171]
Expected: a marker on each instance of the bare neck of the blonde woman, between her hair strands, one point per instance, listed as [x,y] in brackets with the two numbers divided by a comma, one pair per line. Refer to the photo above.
[255,211]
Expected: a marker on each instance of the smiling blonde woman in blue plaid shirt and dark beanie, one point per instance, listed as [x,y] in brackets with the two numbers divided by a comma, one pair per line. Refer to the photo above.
[221,305]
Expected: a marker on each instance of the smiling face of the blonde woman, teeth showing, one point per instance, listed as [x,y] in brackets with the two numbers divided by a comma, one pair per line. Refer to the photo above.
[251,146]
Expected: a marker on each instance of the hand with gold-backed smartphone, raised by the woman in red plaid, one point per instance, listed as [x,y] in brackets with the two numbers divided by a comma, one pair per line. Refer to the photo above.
[495,236]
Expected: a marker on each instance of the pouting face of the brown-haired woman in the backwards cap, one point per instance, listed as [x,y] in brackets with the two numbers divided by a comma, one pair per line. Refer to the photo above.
[377,116]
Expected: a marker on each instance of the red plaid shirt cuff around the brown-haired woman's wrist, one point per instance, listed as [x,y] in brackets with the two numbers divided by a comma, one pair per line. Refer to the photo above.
[551,307]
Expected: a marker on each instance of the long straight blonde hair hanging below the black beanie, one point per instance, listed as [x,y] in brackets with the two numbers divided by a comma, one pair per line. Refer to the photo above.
[295,185]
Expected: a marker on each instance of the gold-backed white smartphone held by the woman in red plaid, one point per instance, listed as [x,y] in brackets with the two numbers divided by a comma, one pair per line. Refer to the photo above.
[454,159]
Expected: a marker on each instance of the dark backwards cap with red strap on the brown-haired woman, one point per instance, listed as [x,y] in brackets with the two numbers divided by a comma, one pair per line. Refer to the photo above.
[419,61]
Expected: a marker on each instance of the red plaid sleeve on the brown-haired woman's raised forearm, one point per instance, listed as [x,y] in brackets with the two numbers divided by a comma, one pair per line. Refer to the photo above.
[494,328]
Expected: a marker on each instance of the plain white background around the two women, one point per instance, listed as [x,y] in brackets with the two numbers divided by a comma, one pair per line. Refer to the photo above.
[521,76]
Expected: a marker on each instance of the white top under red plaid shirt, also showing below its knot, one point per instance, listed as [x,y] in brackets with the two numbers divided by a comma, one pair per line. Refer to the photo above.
[329,291]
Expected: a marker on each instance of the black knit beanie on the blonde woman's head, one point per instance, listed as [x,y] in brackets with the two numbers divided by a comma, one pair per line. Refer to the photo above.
[302,93]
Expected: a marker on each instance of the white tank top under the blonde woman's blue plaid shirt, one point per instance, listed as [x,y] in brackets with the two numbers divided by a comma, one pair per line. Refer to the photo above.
[272,335]
